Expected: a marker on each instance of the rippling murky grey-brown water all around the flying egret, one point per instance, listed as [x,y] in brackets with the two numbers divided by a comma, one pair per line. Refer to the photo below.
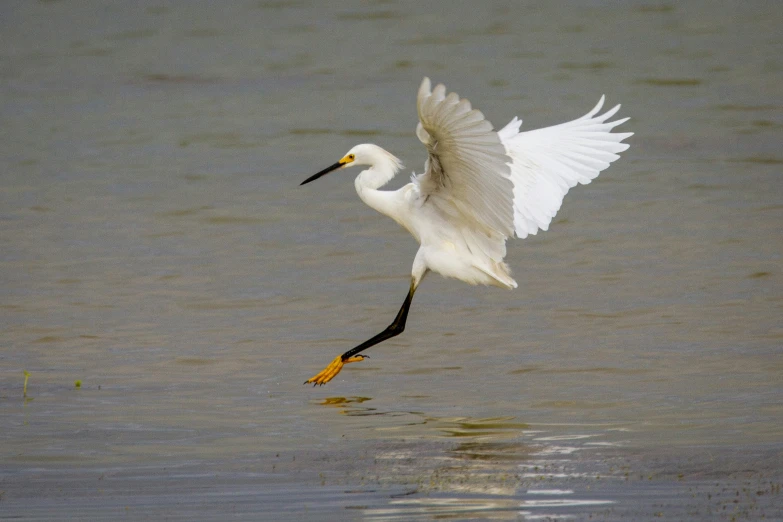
[155,246]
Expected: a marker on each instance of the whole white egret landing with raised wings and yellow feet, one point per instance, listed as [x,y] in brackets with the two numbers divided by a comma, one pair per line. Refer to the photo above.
[479,187]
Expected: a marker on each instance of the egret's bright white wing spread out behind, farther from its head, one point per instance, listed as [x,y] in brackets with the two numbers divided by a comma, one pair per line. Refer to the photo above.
[548,162]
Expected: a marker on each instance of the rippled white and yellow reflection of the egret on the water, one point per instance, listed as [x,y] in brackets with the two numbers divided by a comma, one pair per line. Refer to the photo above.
[494,468]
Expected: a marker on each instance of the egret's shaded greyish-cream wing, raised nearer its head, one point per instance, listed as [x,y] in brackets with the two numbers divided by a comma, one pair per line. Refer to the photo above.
[467,175]
